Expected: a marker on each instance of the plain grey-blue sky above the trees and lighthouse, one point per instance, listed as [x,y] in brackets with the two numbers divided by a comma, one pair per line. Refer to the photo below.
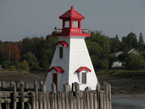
[30,18]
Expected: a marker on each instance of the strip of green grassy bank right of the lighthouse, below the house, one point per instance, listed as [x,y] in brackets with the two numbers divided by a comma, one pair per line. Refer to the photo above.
[124,73]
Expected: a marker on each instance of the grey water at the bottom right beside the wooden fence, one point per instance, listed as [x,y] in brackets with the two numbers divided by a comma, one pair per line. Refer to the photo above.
[128,101]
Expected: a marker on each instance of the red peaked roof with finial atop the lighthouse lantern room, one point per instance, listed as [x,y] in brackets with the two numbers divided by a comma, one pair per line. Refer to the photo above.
[72,14]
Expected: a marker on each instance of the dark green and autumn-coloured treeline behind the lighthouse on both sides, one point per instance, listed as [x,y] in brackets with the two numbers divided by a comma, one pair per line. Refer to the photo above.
[35,54]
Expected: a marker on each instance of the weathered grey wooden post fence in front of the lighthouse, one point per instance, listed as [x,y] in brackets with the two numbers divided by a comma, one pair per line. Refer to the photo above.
[22,97]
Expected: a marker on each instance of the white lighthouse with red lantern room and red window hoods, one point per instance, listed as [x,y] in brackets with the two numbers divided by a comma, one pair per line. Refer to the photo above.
[71,61]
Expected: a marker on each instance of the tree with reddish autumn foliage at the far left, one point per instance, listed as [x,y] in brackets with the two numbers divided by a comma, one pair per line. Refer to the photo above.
[11,50]
